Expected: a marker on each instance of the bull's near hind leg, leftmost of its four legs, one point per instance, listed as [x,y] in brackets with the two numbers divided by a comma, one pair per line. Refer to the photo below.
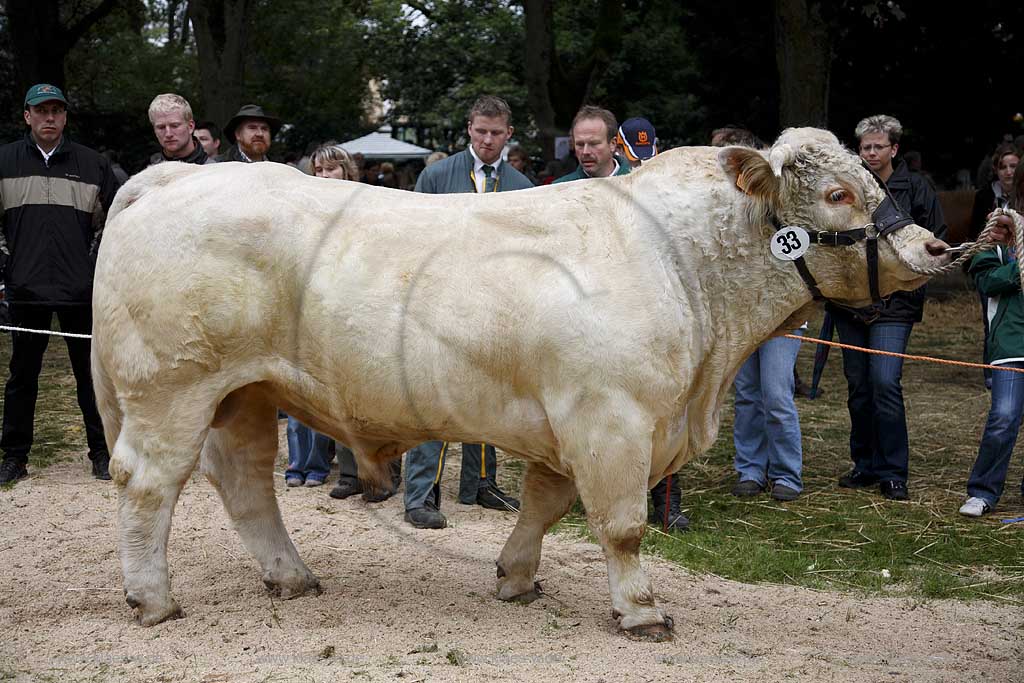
[151,461]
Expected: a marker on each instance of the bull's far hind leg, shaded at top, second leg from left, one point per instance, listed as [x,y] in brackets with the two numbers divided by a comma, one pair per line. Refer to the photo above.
[238,459]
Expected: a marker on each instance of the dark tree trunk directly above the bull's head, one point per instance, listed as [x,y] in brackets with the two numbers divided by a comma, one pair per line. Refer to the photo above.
[803,55]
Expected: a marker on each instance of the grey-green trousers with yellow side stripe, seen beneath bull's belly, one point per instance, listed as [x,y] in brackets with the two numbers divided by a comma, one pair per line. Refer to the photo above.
[425,464]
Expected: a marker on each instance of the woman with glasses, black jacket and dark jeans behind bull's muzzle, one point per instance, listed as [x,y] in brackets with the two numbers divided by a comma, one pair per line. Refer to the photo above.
[879,444]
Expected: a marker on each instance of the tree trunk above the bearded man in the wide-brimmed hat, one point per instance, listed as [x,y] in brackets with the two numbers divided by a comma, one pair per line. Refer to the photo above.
[222,29]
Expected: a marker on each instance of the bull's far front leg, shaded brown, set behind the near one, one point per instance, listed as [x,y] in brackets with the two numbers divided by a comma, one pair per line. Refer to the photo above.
[546,497]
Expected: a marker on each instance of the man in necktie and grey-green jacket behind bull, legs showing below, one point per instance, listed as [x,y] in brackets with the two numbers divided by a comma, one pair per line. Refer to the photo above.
[479,169]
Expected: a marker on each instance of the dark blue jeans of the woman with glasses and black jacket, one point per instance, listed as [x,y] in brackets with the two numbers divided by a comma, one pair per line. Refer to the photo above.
[875,397]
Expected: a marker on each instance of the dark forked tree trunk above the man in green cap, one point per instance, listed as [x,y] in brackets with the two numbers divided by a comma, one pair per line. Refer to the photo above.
[41,42]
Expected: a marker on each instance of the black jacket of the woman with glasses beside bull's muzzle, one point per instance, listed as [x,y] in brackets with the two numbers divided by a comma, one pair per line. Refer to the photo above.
[916,196]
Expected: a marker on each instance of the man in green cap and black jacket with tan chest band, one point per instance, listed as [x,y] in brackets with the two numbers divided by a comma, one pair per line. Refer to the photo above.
[55,196]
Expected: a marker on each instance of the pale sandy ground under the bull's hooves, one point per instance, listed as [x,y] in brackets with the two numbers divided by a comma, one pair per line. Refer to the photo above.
[418,606]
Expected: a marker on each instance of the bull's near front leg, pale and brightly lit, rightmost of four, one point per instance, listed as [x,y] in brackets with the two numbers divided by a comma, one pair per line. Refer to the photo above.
[612,475]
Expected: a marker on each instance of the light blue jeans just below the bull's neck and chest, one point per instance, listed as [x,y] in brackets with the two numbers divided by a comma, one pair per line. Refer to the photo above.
[766,432]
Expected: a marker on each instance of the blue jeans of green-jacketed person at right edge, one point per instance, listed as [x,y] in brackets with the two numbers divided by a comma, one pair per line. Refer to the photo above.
[990,473]
